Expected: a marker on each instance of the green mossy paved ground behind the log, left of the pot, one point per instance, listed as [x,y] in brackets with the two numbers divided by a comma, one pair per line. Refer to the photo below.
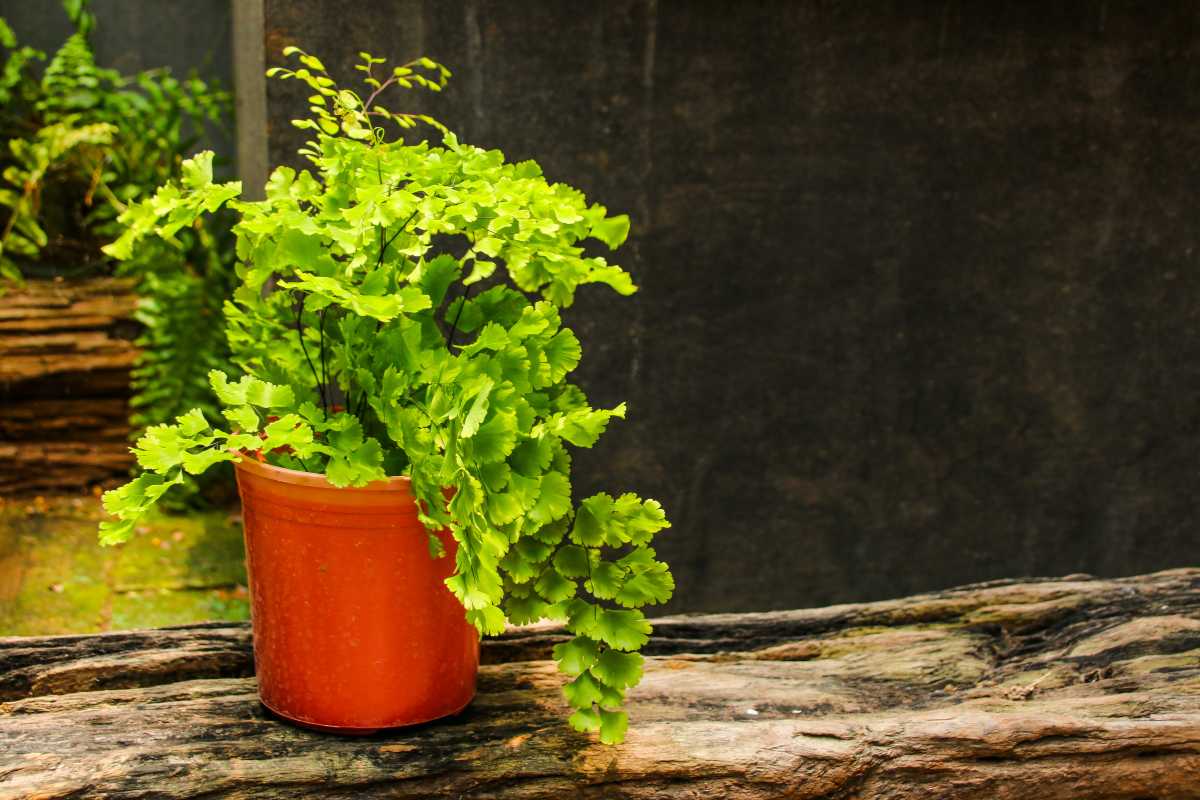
[56,579]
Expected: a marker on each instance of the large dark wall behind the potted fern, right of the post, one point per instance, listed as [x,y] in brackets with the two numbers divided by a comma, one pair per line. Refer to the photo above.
[920,292]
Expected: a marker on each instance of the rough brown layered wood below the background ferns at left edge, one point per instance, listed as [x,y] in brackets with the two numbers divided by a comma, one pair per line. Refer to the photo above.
[65,359]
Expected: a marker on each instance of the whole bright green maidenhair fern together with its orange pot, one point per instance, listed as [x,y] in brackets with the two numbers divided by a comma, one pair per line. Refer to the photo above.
[404,429]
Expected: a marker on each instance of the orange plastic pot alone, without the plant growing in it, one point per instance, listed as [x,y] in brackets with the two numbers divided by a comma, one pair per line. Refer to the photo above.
[355,629]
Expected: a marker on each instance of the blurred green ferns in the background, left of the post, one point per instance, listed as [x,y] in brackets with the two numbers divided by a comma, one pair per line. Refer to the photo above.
[83,143]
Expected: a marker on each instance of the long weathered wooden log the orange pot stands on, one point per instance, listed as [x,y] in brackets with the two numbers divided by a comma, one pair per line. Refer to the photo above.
[1071,689]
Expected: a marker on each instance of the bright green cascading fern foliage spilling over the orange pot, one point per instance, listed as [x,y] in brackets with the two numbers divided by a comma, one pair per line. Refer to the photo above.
[371,348]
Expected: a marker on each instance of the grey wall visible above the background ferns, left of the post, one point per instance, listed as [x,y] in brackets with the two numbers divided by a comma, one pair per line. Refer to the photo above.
[135,35]
